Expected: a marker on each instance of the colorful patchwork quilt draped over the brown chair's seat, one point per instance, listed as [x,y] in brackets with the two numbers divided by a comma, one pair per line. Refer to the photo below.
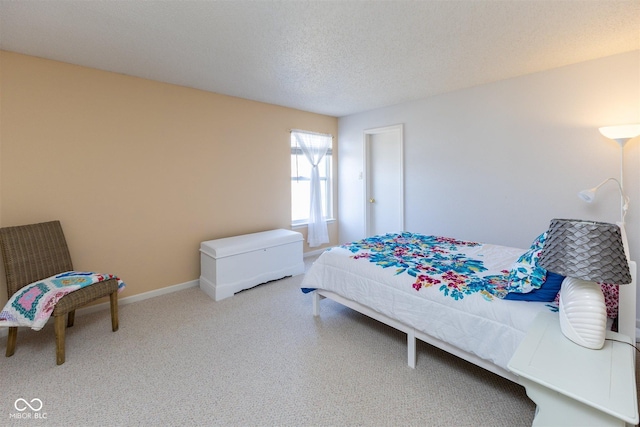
[32,305]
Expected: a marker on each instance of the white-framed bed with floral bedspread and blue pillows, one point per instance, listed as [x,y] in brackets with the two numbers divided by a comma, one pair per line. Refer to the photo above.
[463,297]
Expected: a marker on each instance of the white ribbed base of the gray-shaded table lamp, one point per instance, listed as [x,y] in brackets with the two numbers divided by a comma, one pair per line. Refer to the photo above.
[583,314]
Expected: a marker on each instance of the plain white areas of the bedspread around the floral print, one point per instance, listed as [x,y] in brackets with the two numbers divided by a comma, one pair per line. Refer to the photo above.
[490,328]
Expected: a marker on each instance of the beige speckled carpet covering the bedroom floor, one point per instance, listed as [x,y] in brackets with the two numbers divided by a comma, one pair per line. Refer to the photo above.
[259,358]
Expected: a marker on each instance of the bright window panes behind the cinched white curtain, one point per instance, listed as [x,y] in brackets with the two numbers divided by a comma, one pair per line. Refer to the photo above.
[301,177]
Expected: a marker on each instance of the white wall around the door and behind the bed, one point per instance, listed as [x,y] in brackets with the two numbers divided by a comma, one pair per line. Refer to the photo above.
[495,163]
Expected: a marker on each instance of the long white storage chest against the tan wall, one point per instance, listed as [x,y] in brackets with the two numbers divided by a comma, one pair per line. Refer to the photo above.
[232,264]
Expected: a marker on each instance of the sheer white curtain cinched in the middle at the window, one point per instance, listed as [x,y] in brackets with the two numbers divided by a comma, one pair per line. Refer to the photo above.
[314,147]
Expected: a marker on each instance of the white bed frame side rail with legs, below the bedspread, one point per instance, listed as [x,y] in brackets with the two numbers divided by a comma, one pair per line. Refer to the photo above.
[412,334]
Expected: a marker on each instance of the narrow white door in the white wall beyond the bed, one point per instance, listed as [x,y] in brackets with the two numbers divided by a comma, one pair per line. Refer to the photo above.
[384,183]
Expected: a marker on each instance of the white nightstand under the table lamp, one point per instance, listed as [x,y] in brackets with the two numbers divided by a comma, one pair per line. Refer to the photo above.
[572,385]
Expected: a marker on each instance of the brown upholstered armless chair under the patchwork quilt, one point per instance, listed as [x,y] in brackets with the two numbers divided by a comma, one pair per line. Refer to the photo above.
[37,251]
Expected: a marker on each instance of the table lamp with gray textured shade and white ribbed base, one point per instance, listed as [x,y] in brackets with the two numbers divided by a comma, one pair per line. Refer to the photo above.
[585,252]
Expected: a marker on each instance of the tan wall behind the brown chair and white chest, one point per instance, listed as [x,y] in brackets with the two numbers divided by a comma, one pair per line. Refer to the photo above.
[140,172]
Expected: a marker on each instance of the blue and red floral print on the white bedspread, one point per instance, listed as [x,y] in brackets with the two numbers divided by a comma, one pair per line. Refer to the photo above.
[437,261]
